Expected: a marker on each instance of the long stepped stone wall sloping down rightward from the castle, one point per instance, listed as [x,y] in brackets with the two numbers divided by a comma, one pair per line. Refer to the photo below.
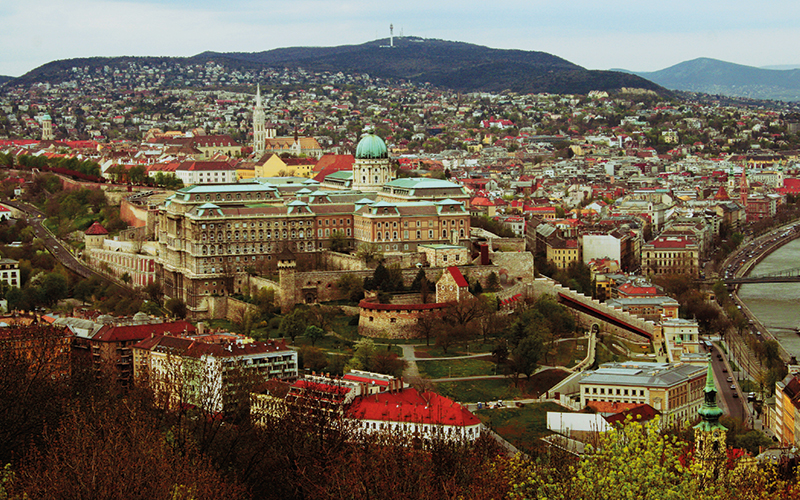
[547,286]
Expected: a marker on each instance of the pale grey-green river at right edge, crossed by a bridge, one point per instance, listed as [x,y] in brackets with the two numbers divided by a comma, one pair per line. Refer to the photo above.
[777,305]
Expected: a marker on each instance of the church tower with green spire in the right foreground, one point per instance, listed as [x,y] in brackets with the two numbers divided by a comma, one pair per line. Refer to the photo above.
[709,435]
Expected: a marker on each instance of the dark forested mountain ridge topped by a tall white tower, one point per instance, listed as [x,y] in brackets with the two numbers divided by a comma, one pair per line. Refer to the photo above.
[455,65]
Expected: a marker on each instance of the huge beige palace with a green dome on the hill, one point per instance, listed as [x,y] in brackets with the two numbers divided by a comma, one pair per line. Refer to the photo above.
[212,236]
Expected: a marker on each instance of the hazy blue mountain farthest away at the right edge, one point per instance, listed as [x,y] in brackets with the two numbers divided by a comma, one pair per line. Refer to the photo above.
[712,76]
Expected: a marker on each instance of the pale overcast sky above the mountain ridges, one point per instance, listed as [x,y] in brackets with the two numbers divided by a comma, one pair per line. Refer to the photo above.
[597,35]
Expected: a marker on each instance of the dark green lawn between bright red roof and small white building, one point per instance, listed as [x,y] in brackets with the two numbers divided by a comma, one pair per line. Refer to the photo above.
[522,427]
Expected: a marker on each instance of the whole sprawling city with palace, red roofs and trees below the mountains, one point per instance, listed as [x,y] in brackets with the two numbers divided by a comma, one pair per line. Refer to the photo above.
[282,283]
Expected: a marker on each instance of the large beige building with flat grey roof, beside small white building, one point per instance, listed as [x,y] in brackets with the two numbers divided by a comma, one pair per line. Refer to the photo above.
[674,389]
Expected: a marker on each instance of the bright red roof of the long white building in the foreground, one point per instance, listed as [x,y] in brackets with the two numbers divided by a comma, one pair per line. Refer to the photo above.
[409,405]
